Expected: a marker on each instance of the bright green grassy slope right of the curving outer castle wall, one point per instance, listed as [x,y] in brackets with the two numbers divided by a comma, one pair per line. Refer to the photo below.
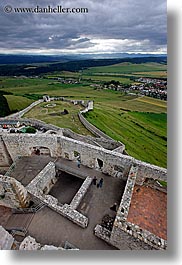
[144,133]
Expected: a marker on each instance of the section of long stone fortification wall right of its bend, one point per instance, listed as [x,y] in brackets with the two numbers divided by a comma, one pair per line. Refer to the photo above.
[111,160]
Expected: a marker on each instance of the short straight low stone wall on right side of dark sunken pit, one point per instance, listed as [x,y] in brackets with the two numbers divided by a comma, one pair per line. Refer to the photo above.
[81,193]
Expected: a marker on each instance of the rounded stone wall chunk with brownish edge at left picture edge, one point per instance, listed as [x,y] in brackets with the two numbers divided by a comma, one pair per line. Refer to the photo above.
[12,193]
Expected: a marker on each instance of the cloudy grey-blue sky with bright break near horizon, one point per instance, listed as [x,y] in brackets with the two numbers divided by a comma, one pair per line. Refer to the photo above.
[110,26]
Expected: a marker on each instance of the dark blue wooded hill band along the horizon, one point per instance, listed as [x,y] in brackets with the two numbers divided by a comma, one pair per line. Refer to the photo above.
[72,65]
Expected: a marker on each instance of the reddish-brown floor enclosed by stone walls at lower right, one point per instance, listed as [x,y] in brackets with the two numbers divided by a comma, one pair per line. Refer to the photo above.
[148,209]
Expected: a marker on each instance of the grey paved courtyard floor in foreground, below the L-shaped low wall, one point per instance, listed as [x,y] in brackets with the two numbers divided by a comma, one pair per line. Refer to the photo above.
[48,227]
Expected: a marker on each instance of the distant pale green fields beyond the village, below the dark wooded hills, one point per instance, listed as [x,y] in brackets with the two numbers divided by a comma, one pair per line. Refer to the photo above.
[123,72]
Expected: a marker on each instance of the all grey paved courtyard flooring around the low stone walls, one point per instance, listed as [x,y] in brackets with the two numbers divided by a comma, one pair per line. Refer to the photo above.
[49,227]
